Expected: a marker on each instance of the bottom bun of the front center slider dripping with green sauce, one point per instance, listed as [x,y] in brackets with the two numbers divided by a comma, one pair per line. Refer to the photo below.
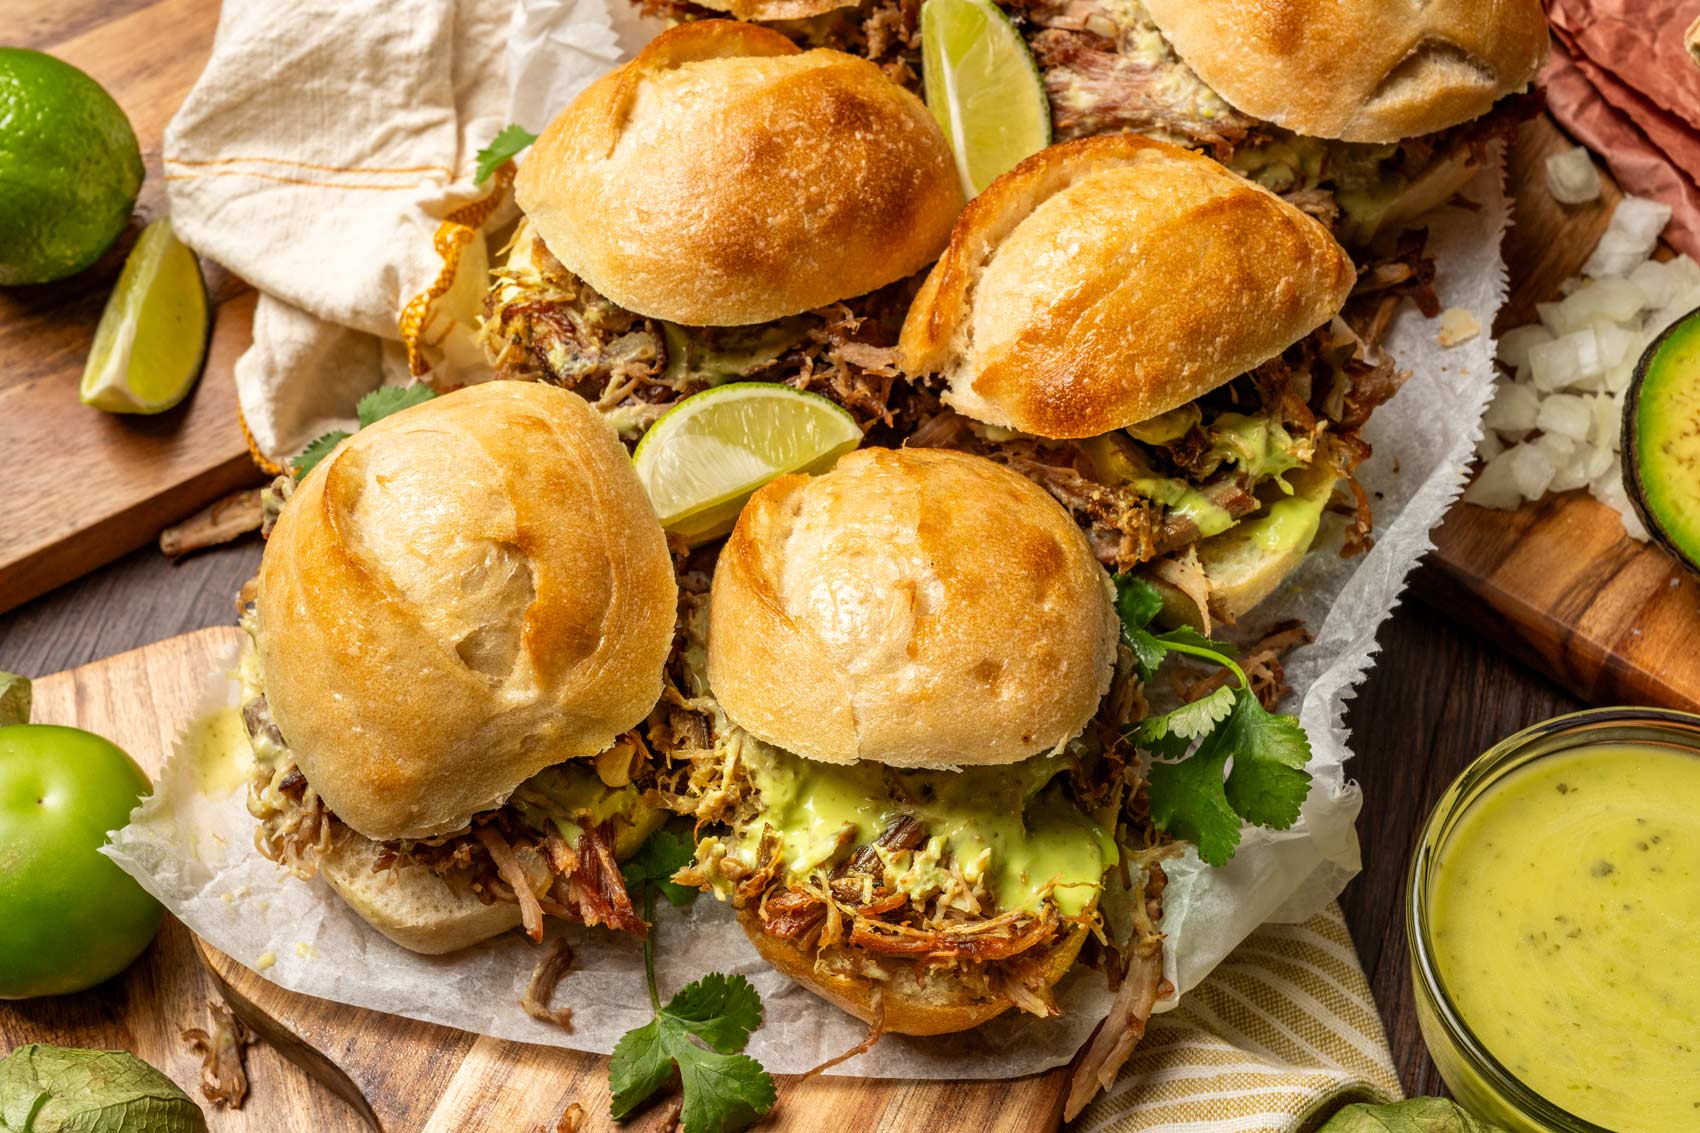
[915,1001]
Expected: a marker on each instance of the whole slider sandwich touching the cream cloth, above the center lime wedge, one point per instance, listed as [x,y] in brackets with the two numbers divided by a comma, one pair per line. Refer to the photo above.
[725,207]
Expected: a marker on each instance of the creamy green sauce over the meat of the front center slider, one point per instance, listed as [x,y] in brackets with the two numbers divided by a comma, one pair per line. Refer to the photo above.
[1009,828]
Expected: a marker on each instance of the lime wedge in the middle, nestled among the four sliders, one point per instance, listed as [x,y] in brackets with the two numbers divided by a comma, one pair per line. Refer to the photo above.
[711,452]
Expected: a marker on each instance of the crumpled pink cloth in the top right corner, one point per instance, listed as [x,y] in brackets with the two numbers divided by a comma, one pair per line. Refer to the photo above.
[1624,84]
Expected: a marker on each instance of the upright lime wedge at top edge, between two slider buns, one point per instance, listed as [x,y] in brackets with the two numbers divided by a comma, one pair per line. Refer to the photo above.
[983,88]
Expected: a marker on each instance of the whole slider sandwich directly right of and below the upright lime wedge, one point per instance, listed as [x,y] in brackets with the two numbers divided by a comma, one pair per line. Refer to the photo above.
[1157,341]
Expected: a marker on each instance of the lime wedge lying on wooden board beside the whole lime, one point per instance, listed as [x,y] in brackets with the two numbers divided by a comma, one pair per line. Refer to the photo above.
[154,333]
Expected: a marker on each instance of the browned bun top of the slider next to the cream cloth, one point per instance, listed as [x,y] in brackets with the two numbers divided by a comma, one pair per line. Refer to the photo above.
[728,178]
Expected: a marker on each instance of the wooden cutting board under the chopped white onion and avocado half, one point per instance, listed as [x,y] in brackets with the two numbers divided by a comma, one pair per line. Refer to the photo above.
[1558,583]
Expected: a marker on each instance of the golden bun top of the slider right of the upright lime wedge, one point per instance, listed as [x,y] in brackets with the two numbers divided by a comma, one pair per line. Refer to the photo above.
[1111,280]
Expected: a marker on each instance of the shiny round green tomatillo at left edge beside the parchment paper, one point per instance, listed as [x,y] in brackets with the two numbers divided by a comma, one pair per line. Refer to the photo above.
[69,918]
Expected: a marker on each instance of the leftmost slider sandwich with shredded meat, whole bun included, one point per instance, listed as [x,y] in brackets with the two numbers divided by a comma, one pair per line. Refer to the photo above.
[458,637]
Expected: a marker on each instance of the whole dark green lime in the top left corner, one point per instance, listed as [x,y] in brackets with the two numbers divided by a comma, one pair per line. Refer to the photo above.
[69,169]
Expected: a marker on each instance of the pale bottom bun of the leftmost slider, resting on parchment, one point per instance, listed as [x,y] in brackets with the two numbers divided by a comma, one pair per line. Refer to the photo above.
[411,904]
